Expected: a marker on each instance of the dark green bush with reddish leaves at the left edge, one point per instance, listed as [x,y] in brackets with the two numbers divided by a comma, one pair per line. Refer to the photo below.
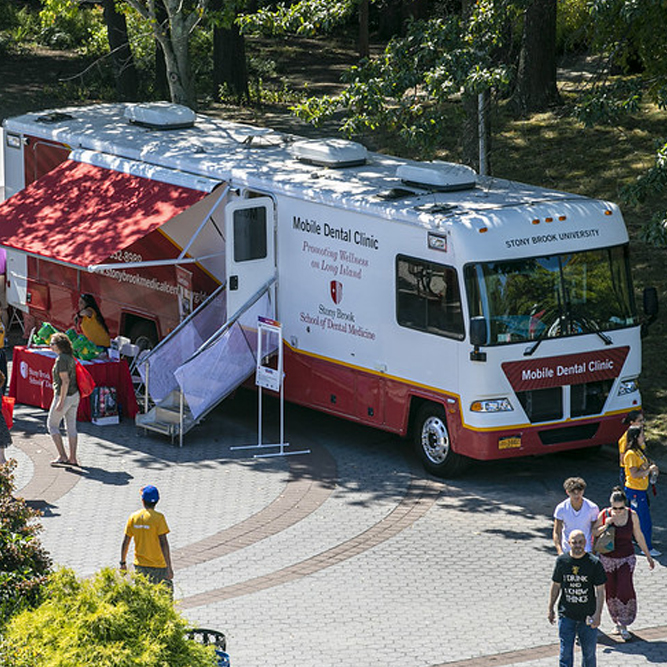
[24,564]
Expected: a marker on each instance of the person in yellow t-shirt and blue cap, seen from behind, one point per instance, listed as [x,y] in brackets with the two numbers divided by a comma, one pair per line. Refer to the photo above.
[149,529]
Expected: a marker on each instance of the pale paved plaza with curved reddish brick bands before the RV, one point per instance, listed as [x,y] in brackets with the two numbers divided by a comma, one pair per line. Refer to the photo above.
[349,556]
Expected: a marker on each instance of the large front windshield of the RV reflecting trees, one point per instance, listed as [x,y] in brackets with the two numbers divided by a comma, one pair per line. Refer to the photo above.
[550,297]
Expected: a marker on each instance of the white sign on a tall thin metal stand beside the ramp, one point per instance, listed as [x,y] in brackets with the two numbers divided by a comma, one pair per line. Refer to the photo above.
[269,340]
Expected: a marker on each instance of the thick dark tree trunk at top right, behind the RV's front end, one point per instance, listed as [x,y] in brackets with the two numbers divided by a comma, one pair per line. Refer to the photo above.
[536,87]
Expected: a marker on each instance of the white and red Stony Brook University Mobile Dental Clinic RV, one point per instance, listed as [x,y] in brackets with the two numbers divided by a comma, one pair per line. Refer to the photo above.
[486,318]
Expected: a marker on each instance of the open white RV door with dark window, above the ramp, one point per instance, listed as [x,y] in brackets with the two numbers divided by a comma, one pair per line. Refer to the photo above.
[250,251]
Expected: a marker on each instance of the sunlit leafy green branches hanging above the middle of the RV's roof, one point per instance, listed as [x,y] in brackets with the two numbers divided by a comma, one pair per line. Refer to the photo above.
[409,88]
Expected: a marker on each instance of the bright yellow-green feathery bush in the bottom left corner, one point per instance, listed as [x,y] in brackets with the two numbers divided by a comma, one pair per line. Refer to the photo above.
[110,620]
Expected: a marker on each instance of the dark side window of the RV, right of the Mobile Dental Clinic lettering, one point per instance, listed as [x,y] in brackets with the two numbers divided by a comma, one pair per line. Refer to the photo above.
[428,297]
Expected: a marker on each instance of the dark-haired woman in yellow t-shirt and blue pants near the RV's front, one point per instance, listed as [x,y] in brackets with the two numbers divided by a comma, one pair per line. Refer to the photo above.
[638,470]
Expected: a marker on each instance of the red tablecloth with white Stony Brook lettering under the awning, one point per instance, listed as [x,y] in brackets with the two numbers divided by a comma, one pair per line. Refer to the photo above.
[31,381]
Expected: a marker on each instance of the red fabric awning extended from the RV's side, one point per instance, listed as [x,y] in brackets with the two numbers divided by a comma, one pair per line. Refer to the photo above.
[81,214]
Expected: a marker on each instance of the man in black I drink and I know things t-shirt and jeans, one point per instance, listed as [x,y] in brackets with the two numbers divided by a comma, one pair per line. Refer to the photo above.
[578,579]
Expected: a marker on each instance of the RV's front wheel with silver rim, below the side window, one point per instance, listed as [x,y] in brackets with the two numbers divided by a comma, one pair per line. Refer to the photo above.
[433,444]
